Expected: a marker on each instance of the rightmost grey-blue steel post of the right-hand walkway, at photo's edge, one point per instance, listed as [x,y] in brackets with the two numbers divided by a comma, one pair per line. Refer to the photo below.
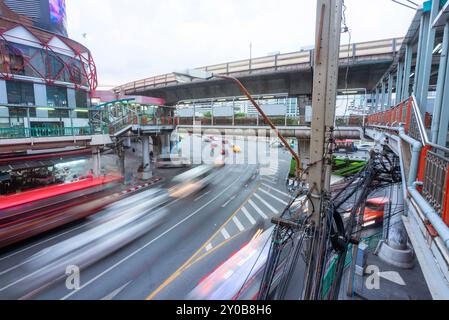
[440,85]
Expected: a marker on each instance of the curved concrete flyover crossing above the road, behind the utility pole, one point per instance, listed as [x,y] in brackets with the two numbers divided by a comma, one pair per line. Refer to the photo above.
[288,72]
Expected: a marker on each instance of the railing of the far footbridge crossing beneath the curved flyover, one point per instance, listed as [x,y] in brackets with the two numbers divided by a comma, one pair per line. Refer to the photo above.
[349,121]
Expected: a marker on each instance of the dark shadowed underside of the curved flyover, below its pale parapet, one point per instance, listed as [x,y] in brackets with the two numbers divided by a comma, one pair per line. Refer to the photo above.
[294,81]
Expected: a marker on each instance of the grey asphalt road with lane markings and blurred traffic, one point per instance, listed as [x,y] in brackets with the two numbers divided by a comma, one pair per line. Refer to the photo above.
[207,226]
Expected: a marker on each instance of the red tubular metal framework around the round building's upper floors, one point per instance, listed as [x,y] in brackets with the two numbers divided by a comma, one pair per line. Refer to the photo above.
[37,56]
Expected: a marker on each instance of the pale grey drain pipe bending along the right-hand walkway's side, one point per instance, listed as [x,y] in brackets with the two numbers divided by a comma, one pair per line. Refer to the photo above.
[428,211]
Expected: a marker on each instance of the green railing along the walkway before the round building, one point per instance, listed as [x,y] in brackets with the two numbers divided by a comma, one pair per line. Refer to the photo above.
[42,132]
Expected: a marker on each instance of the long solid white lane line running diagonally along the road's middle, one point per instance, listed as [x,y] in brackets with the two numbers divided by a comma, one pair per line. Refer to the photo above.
[149,243]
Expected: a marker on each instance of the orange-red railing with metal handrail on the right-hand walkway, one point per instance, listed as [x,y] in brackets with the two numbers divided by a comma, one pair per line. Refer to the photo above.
[433,169]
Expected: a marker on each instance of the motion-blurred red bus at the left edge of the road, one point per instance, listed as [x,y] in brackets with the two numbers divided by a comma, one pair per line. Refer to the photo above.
[32,212]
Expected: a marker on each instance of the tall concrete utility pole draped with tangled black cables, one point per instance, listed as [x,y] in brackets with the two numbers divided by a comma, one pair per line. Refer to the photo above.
[325,79]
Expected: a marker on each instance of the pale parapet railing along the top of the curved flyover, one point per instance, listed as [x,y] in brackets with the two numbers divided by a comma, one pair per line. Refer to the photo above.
[275,62]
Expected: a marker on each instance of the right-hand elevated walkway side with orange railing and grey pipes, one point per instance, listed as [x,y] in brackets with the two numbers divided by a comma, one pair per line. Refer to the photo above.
[425,171]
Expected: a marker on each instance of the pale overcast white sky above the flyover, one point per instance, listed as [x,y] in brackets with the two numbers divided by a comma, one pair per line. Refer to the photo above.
[131,40]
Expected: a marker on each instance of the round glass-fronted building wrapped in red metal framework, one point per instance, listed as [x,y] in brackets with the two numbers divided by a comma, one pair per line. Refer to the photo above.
[45,78]
